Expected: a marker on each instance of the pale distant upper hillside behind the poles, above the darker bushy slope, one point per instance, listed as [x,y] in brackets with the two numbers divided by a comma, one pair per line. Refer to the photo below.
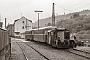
[44,22]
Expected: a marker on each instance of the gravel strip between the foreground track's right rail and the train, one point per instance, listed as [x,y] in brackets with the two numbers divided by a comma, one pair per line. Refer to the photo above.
[58,52]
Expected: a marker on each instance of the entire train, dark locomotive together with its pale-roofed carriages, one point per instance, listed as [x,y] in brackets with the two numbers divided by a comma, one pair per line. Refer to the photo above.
[56,37]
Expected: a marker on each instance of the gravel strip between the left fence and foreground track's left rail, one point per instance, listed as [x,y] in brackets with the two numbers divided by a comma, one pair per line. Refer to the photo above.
[16,53]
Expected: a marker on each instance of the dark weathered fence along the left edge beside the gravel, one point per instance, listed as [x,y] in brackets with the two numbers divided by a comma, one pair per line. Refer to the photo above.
[5,45]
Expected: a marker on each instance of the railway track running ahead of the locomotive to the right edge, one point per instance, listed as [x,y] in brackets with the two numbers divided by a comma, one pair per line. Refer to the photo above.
[79,53]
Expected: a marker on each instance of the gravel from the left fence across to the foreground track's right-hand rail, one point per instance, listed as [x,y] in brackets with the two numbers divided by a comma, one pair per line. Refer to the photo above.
[16,53]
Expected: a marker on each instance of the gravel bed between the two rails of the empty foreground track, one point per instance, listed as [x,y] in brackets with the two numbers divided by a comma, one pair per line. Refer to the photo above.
[30,53]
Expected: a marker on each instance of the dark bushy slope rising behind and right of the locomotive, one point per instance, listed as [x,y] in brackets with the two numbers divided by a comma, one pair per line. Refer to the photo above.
[79,25]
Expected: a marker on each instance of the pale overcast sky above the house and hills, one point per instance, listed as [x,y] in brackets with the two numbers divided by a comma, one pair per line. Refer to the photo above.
[12,9]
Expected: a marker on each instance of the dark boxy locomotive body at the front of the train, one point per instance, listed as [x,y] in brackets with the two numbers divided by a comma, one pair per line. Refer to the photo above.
[60,38]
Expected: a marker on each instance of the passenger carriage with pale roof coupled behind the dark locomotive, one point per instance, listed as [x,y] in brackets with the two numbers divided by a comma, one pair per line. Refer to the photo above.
[33,34]
